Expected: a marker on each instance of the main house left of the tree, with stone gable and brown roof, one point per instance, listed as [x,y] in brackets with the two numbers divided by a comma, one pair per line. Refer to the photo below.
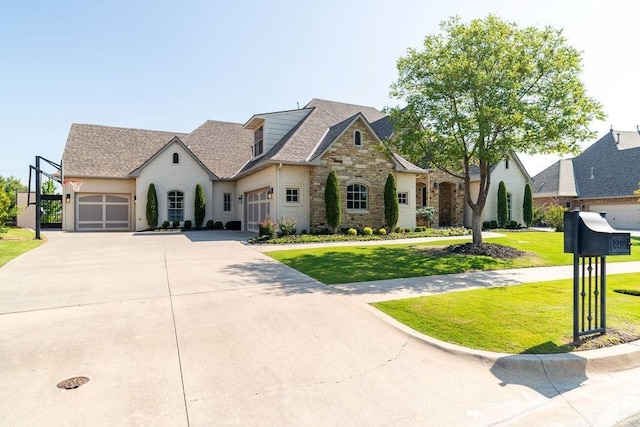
[273,166]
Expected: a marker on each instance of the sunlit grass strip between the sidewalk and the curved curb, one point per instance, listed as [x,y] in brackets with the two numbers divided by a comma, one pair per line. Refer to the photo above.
[531,318]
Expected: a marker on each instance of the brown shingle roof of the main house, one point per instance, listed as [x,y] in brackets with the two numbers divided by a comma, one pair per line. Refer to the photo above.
[223,147]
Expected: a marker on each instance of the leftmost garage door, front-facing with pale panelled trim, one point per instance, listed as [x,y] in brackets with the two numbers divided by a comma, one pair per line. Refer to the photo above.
[103,212]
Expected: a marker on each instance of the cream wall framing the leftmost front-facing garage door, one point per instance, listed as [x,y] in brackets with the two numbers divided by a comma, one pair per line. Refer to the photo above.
[93,186]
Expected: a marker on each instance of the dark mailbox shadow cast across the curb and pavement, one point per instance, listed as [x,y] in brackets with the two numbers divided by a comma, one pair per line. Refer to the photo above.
[548,374]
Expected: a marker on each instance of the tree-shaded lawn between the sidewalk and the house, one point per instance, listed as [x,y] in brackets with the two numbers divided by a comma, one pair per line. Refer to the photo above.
[366,263]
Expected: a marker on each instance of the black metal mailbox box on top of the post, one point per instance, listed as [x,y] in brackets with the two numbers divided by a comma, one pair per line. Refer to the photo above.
[595,236]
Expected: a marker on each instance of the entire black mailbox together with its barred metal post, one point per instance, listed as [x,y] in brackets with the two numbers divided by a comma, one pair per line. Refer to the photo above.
[590,238]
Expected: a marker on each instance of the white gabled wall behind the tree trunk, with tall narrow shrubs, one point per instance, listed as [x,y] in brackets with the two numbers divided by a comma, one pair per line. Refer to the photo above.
[514,179]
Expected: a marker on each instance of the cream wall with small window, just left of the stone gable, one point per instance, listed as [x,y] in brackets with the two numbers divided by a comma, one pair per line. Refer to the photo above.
[293,177]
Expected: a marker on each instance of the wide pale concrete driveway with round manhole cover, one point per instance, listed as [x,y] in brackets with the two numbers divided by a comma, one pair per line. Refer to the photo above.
[198,329]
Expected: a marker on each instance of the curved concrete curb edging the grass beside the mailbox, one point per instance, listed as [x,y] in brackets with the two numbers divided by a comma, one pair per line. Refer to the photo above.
[604,360]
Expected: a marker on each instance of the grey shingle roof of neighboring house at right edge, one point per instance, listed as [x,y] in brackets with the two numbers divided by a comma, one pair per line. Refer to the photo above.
[608,168]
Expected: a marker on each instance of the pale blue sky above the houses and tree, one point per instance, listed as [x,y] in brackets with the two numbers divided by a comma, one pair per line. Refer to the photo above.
[168,65]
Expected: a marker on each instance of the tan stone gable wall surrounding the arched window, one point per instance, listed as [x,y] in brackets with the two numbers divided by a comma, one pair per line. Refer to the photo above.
[366,164]
